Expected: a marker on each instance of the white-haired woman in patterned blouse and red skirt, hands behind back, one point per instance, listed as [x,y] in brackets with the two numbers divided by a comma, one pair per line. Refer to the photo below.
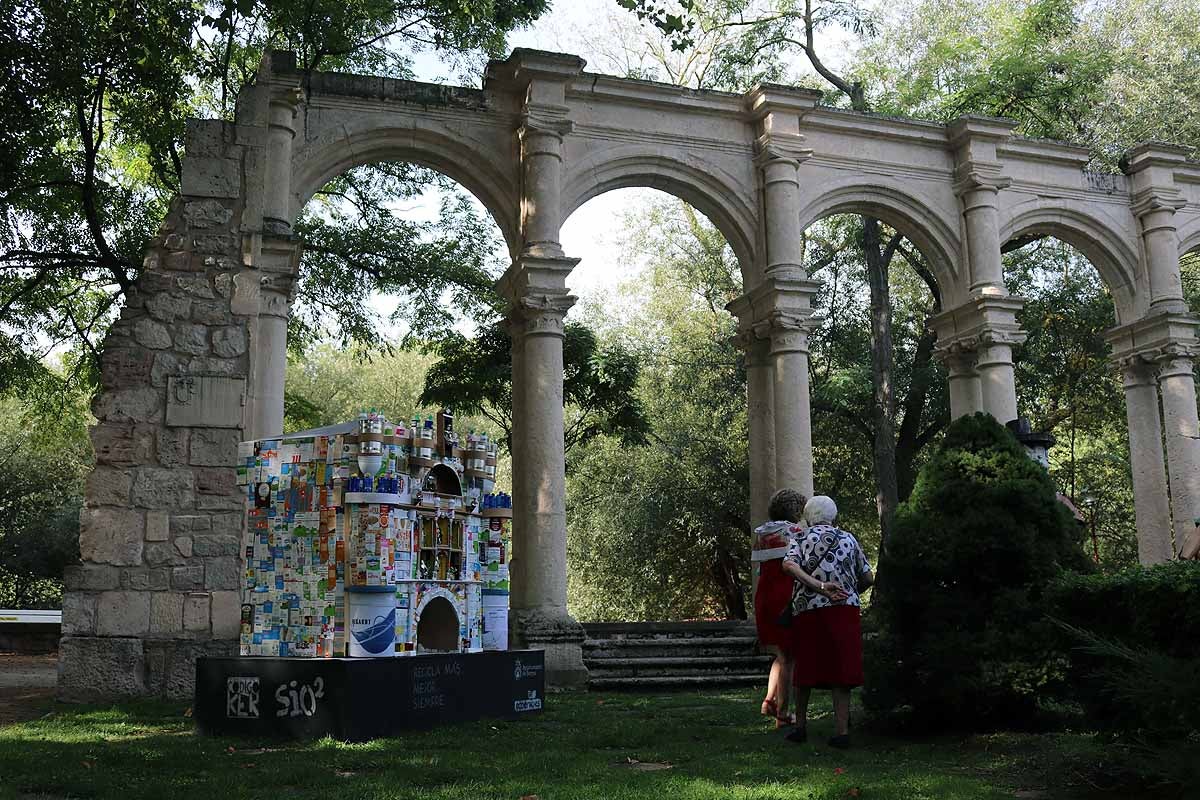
[831,570]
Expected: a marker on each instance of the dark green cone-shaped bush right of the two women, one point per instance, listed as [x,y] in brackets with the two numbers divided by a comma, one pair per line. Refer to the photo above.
[962,639]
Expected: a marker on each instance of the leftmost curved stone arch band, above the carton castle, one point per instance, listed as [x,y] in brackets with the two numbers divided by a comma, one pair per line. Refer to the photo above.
[455,157]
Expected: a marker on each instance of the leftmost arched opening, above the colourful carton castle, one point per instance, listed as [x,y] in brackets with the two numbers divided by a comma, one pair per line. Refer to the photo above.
[397,269]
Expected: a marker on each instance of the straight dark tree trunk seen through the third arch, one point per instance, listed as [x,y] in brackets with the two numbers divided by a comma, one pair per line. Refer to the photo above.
[884,402]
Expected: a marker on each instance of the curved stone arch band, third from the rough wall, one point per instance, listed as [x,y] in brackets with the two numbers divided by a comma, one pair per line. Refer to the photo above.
[917,219]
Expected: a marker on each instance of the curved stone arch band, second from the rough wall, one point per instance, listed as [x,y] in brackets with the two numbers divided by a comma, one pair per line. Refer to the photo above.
[709,189]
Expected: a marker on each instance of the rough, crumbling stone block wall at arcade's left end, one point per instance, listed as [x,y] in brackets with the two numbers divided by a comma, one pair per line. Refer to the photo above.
[161,527]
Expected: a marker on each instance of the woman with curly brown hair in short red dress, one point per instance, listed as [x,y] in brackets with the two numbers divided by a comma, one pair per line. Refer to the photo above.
[775,594]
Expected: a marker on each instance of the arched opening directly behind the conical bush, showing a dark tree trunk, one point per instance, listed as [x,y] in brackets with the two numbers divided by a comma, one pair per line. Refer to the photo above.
[879,393]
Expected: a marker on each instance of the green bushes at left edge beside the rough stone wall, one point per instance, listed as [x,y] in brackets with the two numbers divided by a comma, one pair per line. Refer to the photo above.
[44,460]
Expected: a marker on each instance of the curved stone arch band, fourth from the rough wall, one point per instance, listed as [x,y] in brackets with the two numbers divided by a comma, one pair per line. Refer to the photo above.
[1112,256]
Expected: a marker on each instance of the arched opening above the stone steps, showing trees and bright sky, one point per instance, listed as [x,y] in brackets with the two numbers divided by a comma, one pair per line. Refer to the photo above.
[657,508]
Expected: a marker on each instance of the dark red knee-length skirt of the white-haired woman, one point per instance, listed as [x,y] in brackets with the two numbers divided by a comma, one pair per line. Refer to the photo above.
[827,648]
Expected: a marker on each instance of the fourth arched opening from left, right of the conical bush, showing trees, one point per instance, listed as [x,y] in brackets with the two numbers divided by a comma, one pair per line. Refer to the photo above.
[1067,384]
